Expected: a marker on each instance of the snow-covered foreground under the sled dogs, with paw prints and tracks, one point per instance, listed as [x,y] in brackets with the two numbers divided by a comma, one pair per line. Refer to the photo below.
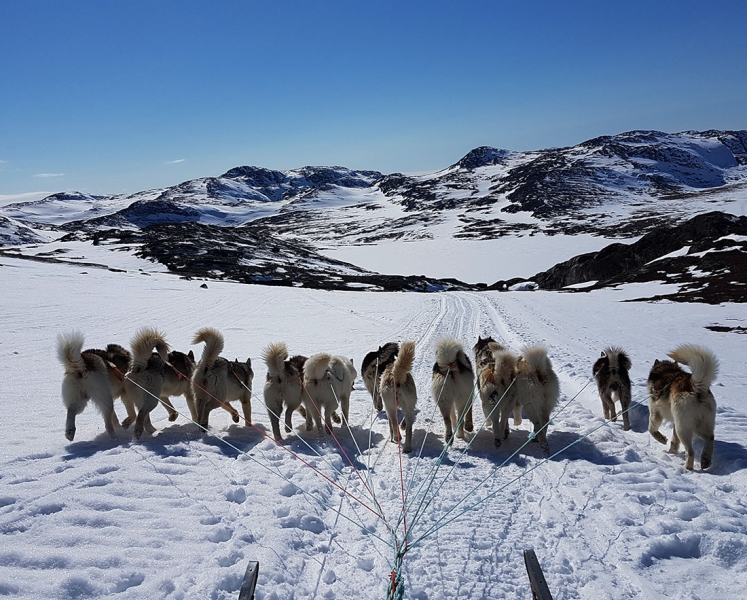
[179,514]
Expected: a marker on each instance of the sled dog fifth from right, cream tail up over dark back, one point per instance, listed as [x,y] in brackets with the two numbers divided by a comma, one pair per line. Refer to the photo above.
[452,385]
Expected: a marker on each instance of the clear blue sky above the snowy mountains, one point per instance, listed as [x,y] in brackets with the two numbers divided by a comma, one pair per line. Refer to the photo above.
[112,97]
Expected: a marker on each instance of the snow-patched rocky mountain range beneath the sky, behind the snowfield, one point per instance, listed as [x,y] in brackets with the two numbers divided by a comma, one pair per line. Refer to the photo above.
[293,227]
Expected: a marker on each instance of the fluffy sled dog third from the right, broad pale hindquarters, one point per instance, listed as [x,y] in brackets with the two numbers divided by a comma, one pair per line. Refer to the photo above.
[536,390]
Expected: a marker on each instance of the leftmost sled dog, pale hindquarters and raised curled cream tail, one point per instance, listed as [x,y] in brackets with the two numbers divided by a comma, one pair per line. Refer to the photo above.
[91,375]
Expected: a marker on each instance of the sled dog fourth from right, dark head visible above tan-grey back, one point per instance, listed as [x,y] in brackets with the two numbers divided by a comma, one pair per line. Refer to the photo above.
[495,373]
